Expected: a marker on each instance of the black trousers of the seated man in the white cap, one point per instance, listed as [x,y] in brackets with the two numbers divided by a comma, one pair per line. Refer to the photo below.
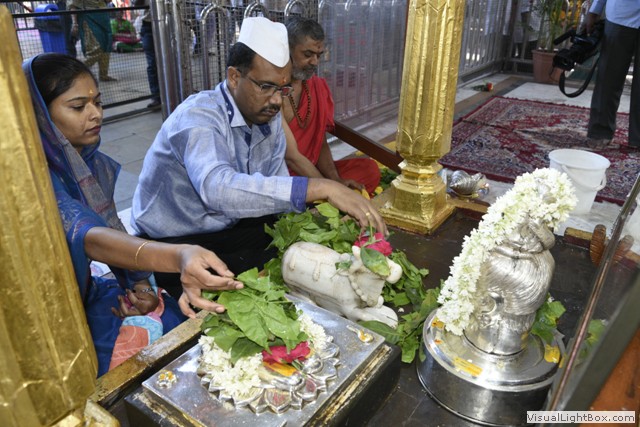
[242,247]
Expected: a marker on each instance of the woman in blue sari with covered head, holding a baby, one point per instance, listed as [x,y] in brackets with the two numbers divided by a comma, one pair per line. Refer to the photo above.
[127,312]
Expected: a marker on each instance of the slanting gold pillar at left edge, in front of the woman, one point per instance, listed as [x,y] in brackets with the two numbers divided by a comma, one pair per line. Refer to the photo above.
[47,359]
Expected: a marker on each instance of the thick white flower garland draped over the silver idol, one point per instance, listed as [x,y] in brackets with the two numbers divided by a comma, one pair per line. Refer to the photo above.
[524,201]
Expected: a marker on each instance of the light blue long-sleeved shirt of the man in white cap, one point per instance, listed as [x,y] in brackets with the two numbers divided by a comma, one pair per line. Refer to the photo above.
[207,169]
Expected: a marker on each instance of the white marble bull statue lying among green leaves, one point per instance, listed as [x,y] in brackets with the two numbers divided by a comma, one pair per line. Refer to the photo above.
[309,269]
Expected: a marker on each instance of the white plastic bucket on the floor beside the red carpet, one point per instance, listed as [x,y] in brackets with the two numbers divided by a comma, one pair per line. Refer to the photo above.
[587,171]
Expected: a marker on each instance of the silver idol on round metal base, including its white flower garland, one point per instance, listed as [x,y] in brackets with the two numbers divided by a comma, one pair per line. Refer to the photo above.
[488,368]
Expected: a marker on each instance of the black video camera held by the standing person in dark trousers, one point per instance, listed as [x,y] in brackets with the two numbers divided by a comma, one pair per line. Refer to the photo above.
[584,47]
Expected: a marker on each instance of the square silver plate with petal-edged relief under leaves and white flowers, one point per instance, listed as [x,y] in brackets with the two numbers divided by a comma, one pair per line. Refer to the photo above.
[294,401]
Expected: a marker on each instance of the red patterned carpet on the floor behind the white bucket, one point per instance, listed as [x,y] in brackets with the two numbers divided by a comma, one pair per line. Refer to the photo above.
[506,137]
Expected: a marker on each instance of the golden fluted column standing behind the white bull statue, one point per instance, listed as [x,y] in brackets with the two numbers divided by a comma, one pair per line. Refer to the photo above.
[430,75]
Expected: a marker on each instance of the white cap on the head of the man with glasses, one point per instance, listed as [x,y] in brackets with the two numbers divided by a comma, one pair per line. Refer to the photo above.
[266,38]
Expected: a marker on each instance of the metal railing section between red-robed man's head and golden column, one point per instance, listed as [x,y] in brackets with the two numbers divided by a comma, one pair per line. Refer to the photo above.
[365,48]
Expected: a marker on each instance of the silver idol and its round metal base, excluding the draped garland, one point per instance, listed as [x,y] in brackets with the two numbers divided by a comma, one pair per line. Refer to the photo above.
[496,370]
